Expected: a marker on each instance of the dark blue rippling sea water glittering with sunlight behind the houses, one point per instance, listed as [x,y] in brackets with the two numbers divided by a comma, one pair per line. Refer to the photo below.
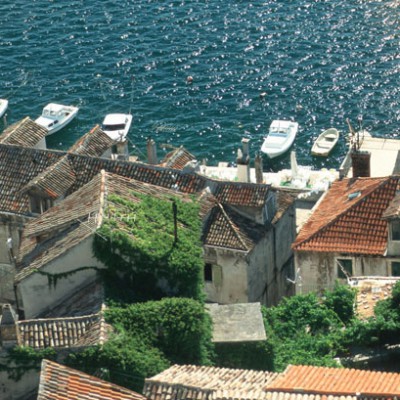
[319,62]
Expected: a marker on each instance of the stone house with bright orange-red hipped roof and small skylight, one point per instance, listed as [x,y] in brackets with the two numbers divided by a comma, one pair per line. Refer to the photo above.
[353,231]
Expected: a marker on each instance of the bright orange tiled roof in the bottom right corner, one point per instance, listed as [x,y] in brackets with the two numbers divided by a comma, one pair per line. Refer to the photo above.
[336,381]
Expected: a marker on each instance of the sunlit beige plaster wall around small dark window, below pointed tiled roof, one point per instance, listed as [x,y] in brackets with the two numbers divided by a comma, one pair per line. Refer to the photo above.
[233,285]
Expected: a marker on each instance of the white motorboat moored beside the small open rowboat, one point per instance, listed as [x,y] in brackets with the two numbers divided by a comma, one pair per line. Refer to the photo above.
[280,137]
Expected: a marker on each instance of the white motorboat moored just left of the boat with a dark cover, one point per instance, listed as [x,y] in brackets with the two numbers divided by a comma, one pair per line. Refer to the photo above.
[55,116]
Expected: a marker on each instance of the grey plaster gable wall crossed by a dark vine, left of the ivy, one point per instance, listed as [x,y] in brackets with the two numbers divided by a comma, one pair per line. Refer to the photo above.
[35,294]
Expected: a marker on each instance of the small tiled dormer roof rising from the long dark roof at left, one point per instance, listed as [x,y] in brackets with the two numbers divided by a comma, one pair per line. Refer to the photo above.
[53,182]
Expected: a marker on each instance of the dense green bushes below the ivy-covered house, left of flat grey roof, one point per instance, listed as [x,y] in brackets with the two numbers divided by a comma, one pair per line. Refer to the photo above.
[150,337]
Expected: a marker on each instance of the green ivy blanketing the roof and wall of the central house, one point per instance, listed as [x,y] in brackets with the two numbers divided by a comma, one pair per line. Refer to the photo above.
[145,259]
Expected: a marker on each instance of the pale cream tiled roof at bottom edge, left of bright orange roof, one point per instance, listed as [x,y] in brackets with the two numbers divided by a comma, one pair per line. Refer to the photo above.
[194,382]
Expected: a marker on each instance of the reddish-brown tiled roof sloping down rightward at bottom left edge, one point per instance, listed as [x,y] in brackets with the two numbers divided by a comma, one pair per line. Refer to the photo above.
[59,382]
